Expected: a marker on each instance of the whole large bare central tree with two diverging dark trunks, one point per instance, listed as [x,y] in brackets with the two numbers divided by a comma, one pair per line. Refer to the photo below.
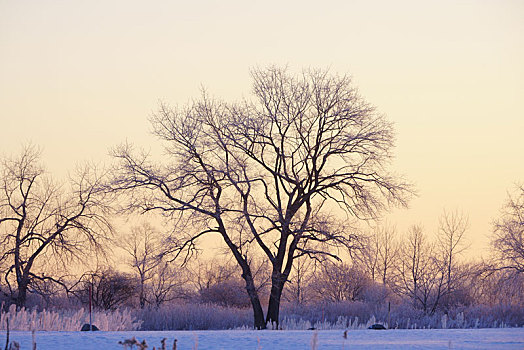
[268,174]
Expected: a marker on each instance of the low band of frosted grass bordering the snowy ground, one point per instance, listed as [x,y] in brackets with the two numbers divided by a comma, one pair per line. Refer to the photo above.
[326,316]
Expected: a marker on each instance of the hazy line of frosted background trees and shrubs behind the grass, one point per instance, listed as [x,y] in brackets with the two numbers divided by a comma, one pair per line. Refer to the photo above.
[432,275]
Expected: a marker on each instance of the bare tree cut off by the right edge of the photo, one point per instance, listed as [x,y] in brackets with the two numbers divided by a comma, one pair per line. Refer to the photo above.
[508,240]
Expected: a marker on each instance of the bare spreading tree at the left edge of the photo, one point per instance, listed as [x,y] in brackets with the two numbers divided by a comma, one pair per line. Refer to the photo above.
[42,221]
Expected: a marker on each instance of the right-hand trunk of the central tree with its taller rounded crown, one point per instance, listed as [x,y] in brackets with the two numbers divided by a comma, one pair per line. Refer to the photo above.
[313,140]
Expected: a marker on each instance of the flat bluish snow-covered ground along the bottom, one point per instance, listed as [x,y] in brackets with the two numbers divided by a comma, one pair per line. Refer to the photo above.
[505,338]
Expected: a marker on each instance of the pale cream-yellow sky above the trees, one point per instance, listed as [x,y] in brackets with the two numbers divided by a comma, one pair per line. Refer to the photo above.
[78,77]
